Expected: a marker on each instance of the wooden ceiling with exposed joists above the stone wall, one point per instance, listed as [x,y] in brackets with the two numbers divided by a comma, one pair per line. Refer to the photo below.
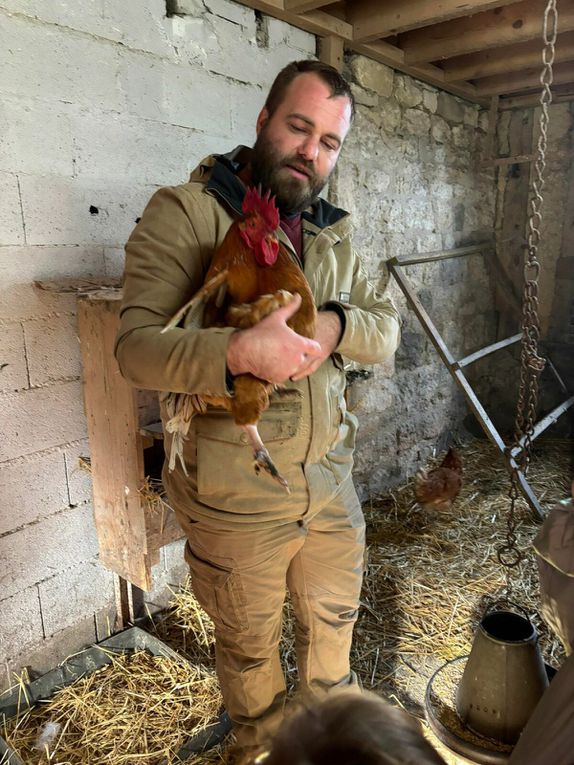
[471,48]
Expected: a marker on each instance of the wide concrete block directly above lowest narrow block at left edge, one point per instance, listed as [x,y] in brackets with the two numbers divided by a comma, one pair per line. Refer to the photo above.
[46,548]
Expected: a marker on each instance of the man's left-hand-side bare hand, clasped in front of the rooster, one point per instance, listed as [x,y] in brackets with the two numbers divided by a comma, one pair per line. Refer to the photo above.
[271,350]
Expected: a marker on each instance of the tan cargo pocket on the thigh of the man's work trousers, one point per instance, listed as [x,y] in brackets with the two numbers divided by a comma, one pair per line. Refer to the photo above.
[219,592]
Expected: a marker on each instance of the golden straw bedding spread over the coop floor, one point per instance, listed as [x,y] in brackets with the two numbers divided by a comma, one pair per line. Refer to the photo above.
[429,577]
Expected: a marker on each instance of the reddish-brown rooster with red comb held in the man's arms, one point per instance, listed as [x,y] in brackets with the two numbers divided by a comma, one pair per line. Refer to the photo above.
[251,274]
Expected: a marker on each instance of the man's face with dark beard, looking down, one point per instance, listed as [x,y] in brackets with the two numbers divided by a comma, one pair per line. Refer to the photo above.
[298,146]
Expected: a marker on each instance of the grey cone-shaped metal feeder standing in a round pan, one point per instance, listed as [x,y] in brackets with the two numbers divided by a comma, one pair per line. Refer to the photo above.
[504,677]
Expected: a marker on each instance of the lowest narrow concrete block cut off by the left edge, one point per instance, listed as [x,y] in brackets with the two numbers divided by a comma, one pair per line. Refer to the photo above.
[21,621]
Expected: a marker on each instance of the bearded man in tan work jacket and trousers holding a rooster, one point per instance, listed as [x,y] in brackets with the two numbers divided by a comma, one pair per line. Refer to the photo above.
[244,554]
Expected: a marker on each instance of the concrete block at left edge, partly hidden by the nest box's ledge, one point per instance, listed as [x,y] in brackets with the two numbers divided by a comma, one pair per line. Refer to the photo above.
[19,266]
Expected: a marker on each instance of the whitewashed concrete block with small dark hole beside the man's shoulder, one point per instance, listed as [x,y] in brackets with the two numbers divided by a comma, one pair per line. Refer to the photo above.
[80,211]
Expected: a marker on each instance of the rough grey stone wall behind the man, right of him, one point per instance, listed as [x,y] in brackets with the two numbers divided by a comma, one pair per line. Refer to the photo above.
[411,175]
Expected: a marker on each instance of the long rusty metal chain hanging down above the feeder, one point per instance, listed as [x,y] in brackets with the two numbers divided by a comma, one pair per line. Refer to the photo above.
[532,363]
